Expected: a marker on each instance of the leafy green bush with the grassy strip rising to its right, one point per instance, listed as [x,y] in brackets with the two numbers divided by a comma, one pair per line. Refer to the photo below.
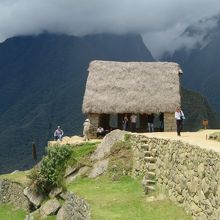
[51,172]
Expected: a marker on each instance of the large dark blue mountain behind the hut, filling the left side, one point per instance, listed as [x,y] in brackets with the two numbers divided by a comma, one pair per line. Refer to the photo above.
[42,85]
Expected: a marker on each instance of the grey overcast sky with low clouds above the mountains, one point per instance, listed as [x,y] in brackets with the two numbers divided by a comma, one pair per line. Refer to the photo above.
[159,21]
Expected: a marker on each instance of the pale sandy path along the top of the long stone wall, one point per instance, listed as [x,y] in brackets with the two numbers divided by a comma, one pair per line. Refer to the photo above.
[199,138]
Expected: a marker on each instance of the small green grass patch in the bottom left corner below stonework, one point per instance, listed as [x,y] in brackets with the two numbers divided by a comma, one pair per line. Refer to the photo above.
[8,212]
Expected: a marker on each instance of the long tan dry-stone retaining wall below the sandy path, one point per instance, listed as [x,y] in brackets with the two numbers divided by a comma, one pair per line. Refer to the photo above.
[190,175]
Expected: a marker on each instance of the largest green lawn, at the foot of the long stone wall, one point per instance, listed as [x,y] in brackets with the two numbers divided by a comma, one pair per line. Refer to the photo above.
[123,200]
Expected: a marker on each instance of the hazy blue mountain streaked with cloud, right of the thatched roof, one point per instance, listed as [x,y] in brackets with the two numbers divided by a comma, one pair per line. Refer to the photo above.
[201,64]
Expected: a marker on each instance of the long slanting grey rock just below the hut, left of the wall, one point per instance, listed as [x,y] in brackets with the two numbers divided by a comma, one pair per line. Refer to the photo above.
[108,141]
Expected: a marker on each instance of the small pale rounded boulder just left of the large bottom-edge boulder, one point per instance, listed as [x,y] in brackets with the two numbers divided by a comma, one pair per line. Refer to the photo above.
[50,207]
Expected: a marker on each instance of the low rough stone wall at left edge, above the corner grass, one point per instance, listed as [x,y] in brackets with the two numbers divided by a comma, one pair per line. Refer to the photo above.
[11,192]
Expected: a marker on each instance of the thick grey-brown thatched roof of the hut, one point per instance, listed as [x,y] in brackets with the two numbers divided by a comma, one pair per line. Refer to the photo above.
[126,87]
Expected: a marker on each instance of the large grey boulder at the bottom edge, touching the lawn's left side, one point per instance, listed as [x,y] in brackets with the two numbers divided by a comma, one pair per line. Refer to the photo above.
[74,208]
